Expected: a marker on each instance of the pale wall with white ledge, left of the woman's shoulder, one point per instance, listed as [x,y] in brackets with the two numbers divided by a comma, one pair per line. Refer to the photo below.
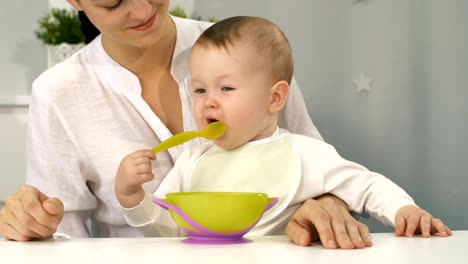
[22,59]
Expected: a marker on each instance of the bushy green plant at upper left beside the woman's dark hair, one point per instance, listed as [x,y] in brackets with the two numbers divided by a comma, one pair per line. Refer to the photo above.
[60,26]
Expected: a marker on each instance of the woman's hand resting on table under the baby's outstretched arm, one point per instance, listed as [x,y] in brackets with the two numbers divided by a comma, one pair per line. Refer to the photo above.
[327,219]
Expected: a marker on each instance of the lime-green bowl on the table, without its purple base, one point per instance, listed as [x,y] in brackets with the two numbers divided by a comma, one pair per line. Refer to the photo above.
[221,212]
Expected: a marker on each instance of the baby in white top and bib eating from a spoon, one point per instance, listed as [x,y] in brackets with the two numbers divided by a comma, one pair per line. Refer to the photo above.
[241,69]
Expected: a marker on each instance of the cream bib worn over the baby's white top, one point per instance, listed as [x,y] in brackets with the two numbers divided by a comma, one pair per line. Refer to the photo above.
[270,165]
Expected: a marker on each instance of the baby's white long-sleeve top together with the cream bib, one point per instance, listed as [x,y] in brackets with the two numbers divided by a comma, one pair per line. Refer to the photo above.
[307,169]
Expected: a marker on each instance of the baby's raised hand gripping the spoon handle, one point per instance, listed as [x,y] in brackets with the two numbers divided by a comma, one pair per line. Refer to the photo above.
[134,170]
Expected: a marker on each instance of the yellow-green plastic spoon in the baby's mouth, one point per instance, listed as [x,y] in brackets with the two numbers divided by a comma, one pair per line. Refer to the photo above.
[211,131]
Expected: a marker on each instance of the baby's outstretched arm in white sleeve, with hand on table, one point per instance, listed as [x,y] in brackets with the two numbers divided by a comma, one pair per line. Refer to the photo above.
[376,195]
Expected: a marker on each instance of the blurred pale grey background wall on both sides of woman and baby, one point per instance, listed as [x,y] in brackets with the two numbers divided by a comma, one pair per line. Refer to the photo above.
[385,82]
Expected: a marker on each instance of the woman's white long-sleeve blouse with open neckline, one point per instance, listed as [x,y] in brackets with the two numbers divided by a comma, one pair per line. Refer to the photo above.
[87,114]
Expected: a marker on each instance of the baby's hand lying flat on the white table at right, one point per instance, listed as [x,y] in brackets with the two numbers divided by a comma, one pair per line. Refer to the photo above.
[411,220]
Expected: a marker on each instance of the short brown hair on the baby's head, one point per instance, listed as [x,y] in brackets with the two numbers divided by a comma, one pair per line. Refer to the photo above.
[266,37]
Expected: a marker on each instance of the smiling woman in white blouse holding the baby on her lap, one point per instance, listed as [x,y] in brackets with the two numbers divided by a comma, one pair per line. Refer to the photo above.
[129,88]
